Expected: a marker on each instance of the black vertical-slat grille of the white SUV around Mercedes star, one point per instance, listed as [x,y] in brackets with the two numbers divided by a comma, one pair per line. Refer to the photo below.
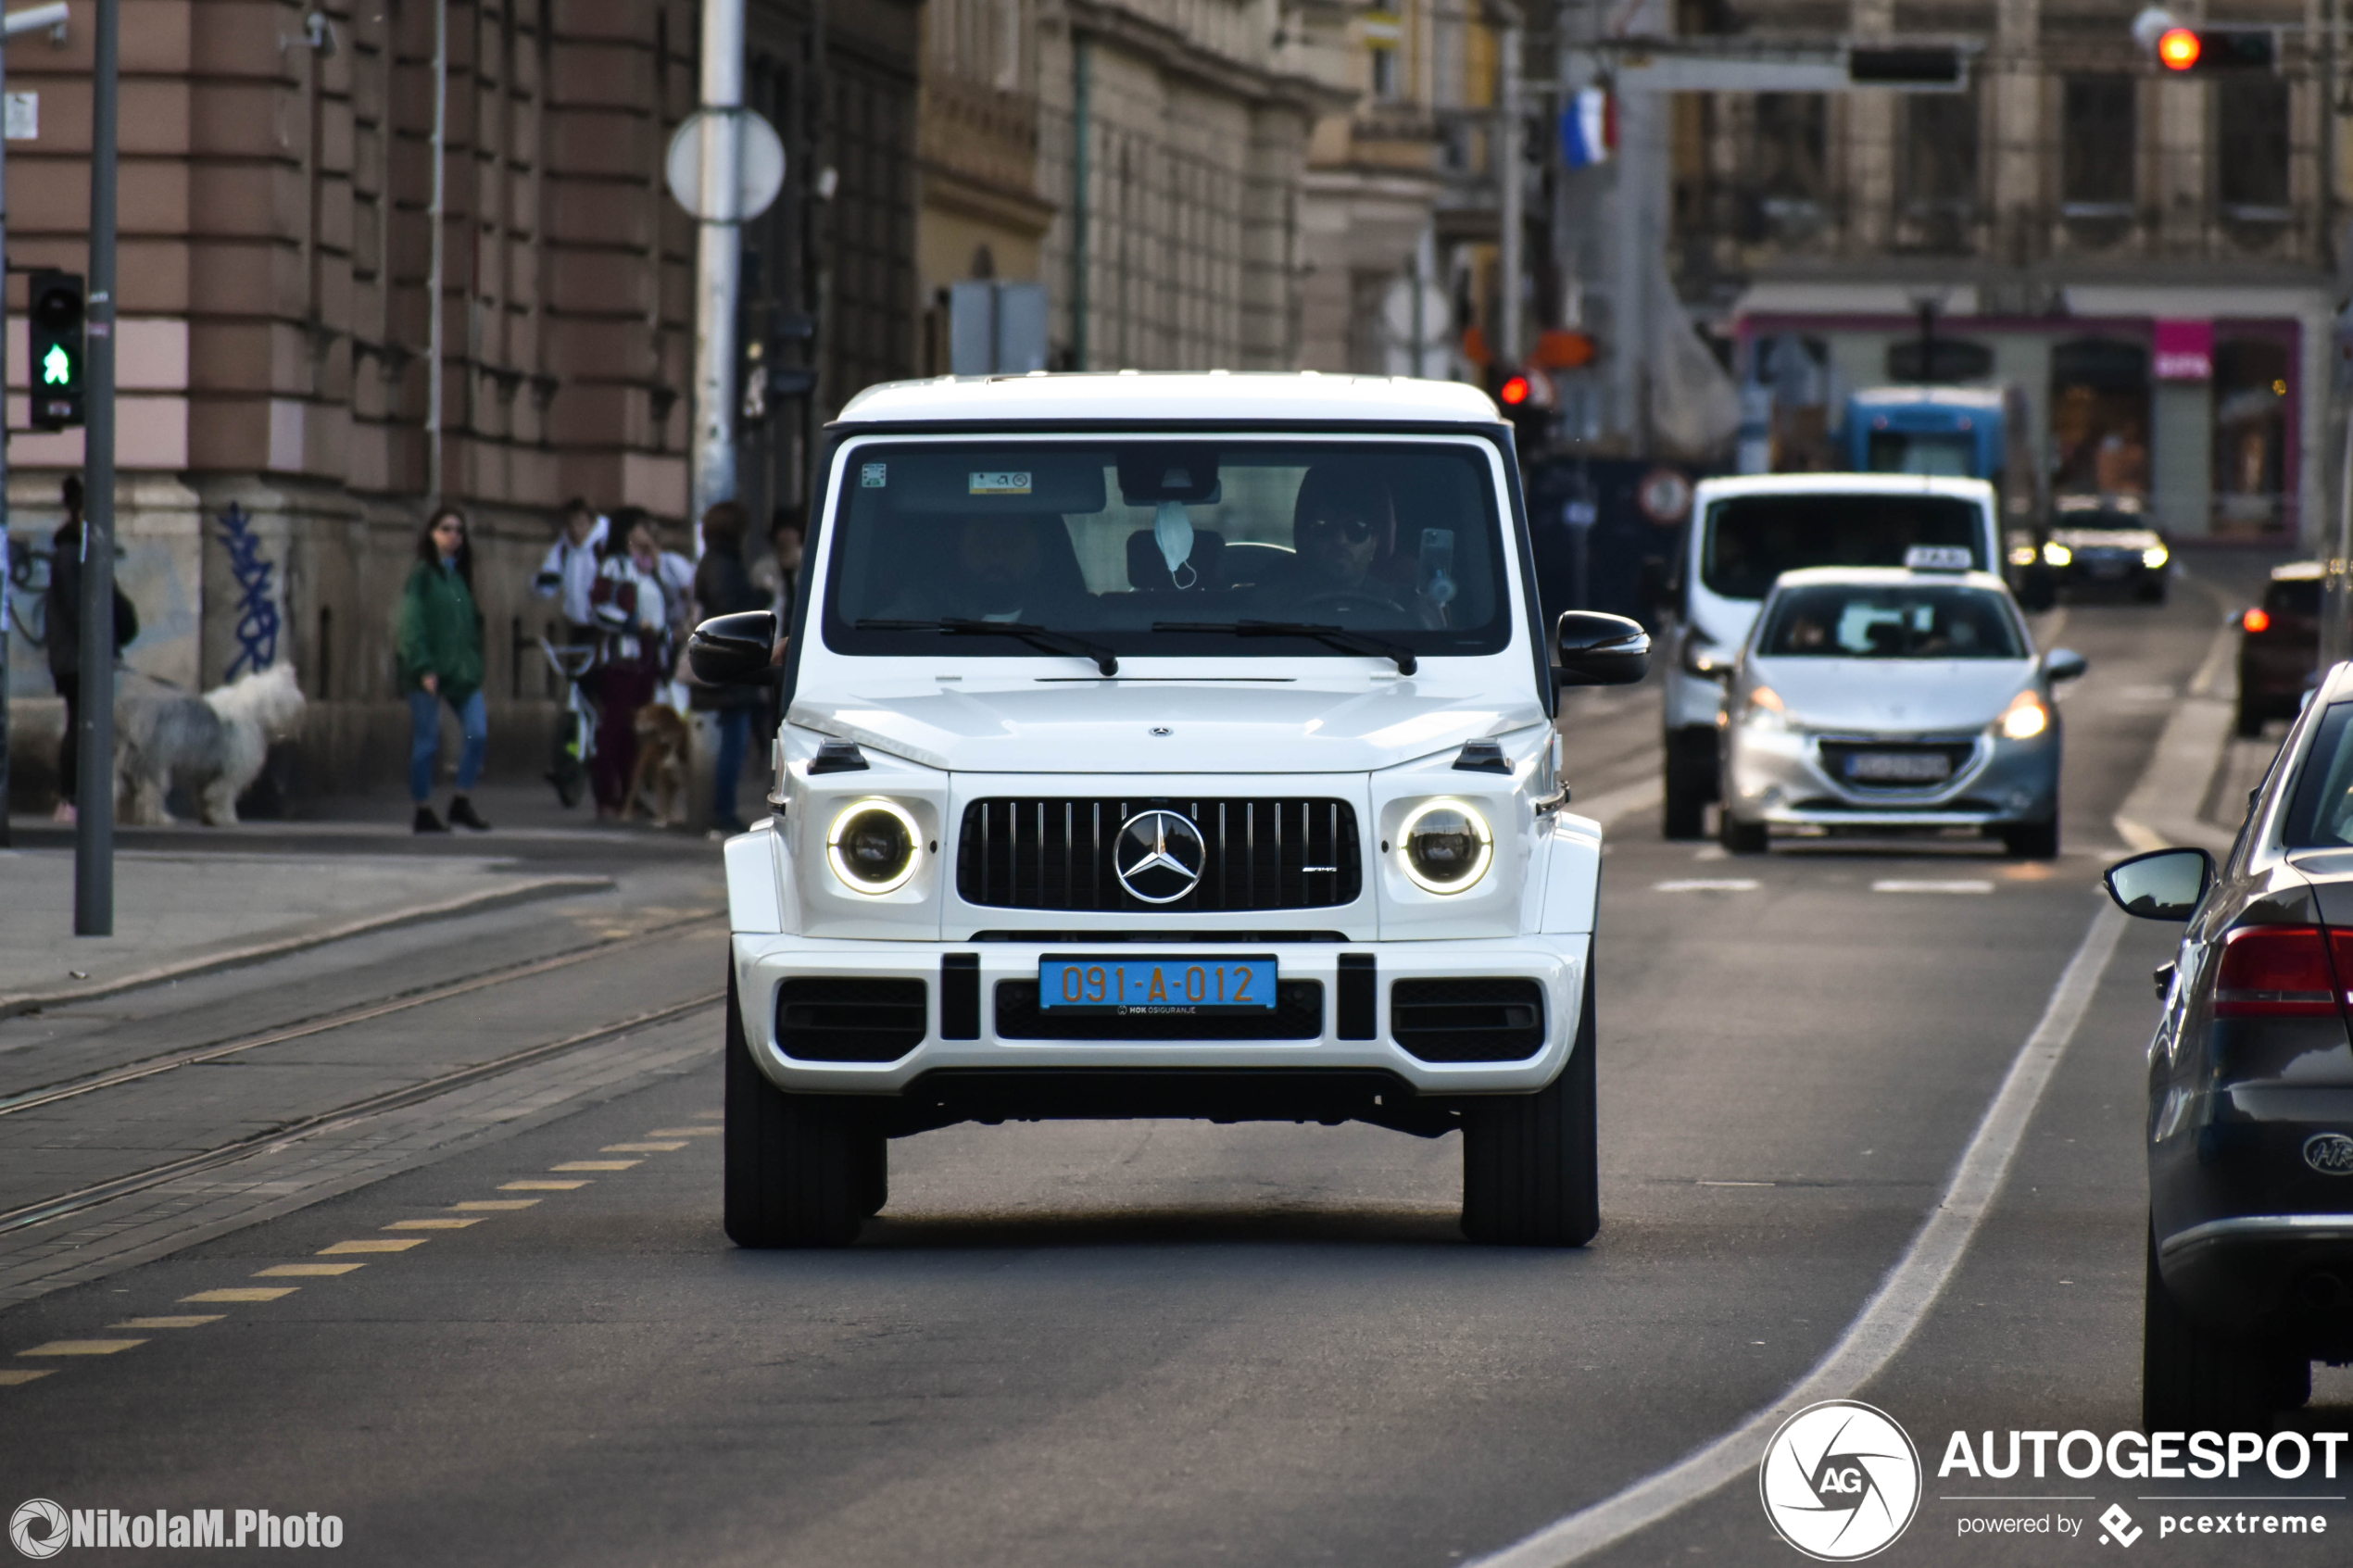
[1260,855]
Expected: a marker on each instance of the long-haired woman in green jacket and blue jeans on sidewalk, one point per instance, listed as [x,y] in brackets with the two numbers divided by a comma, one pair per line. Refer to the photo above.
[441,662]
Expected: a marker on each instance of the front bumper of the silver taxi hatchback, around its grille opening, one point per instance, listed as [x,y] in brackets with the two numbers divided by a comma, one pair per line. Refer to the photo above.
[1782,779]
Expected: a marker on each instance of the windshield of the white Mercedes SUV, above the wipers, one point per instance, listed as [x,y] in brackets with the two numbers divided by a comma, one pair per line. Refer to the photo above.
[1119,537]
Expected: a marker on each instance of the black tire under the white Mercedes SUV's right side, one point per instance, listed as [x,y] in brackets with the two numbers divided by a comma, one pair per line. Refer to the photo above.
[1533,1162]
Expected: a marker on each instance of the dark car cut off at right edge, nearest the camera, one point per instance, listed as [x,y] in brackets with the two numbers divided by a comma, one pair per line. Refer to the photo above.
[2251,1094]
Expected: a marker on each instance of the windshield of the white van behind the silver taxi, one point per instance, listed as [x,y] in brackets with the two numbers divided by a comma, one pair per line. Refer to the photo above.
[1754,540]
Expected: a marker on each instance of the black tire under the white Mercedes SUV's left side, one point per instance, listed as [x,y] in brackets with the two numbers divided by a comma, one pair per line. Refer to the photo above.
[801,1170]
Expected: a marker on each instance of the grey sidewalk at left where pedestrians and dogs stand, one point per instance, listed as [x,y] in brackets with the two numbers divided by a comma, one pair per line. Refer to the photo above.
[192,911]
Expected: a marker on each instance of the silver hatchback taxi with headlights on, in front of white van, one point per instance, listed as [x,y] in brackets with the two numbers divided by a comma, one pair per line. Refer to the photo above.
[1893,699]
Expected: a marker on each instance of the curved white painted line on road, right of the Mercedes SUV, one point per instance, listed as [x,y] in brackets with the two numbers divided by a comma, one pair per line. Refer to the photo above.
[1886,1322]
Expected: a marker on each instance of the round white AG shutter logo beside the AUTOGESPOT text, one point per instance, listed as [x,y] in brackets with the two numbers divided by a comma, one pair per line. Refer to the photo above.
[1841,1482]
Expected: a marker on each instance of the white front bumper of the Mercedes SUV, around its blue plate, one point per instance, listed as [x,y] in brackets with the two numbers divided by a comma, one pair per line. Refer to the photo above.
[1557,963]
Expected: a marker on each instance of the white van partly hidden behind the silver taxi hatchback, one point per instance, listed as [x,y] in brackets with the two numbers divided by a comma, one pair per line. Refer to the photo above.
[1752,530]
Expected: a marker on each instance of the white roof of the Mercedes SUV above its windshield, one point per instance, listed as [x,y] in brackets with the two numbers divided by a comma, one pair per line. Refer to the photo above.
[1173,398]
